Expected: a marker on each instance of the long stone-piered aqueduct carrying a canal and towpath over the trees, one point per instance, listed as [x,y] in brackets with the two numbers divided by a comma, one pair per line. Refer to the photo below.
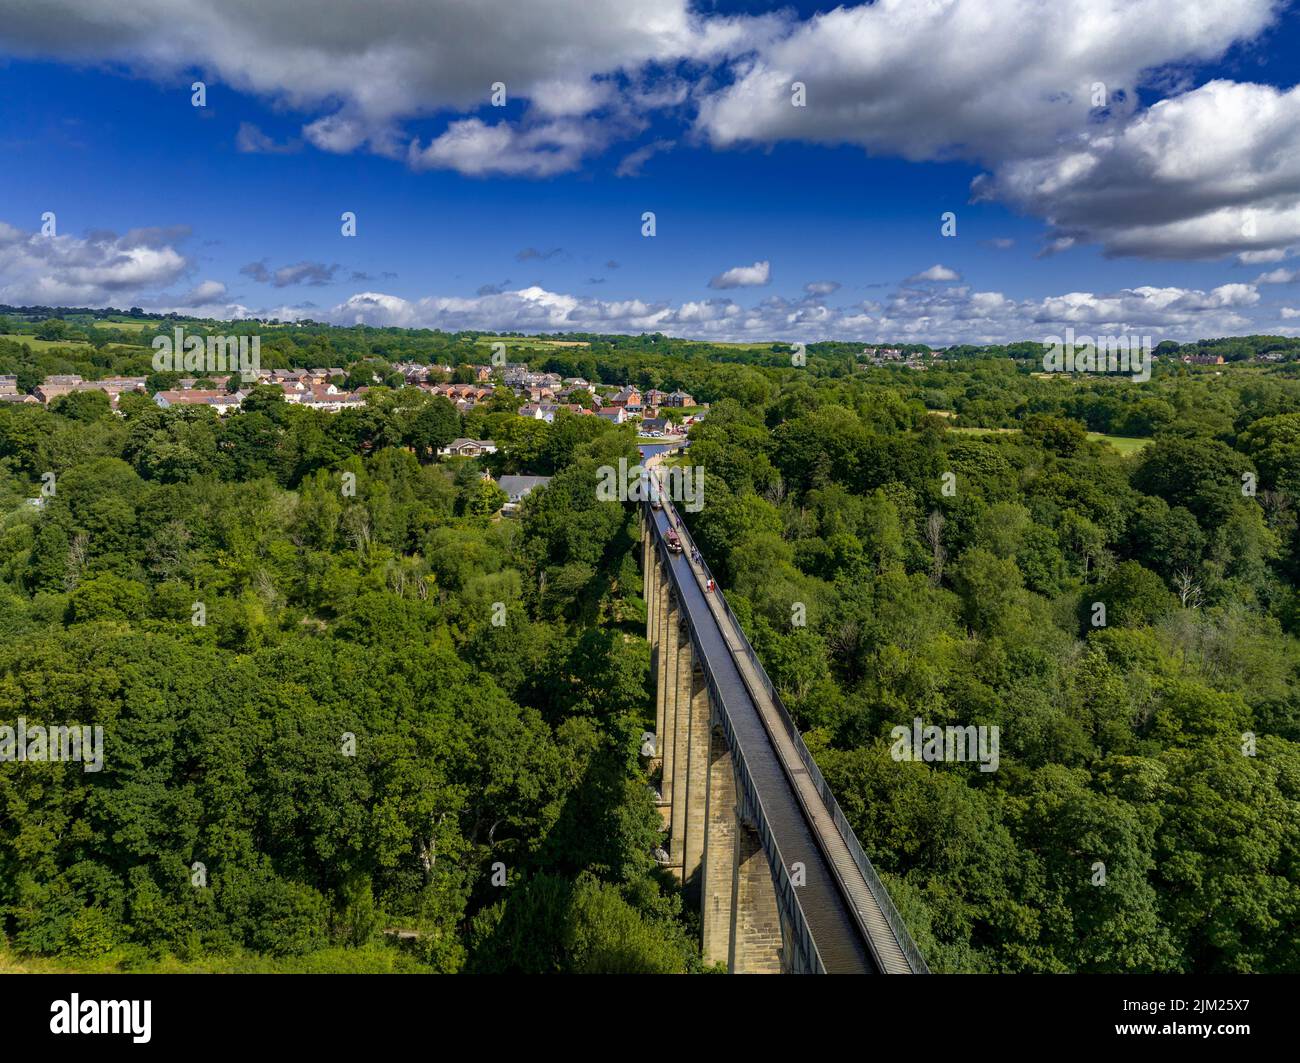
[755,834]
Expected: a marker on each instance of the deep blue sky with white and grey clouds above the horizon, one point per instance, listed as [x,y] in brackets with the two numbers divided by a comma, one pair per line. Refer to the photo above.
[1175,211]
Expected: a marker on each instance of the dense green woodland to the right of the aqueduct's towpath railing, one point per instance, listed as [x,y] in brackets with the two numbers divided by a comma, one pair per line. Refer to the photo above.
[1124,745]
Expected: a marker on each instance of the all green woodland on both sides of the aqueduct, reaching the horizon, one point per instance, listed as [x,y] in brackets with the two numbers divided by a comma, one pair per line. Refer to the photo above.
[332,614]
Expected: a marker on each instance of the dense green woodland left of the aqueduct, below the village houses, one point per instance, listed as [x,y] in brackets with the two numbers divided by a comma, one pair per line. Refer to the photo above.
[326,615]
